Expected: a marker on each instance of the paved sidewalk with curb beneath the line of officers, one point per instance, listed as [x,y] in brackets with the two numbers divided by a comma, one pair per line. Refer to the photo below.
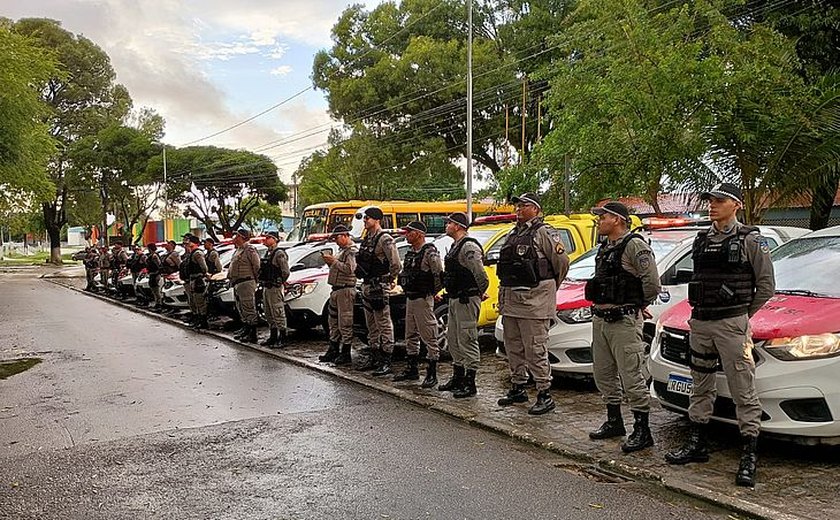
[793,481]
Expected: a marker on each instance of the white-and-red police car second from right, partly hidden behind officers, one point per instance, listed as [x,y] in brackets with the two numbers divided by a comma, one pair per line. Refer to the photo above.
[570,335]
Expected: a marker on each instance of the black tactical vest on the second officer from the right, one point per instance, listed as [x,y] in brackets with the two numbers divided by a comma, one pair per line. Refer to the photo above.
[612,284]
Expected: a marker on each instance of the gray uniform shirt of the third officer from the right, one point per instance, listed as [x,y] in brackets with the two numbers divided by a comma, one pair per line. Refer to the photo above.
[540,302]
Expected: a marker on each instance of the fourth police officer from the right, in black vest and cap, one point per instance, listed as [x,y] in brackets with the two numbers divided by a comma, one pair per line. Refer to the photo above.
[466,284]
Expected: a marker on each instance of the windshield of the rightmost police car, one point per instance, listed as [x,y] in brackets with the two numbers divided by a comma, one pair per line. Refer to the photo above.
[808,266]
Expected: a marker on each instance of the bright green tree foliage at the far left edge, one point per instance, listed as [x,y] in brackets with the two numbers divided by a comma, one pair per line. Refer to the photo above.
[25,141]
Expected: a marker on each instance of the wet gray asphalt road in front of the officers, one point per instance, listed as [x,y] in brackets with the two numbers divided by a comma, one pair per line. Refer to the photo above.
[128,417]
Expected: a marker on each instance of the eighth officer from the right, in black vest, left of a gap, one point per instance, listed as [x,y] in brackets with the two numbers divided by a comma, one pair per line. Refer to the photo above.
[274,271]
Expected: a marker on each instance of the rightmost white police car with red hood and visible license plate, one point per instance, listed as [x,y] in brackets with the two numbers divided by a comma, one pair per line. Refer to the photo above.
[797,347]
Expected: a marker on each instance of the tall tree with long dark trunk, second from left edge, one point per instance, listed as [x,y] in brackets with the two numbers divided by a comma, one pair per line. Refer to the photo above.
[84,99]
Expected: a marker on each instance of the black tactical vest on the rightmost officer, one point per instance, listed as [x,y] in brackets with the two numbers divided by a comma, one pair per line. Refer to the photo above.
[723,284]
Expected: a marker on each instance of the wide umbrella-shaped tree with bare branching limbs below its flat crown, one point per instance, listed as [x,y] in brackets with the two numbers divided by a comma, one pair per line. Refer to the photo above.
[220,186]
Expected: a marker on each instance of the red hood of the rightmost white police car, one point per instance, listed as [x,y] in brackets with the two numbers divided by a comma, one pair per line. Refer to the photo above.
[783,316]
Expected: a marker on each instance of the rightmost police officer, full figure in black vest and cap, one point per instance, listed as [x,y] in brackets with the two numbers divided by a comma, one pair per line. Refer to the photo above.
[733,278]
